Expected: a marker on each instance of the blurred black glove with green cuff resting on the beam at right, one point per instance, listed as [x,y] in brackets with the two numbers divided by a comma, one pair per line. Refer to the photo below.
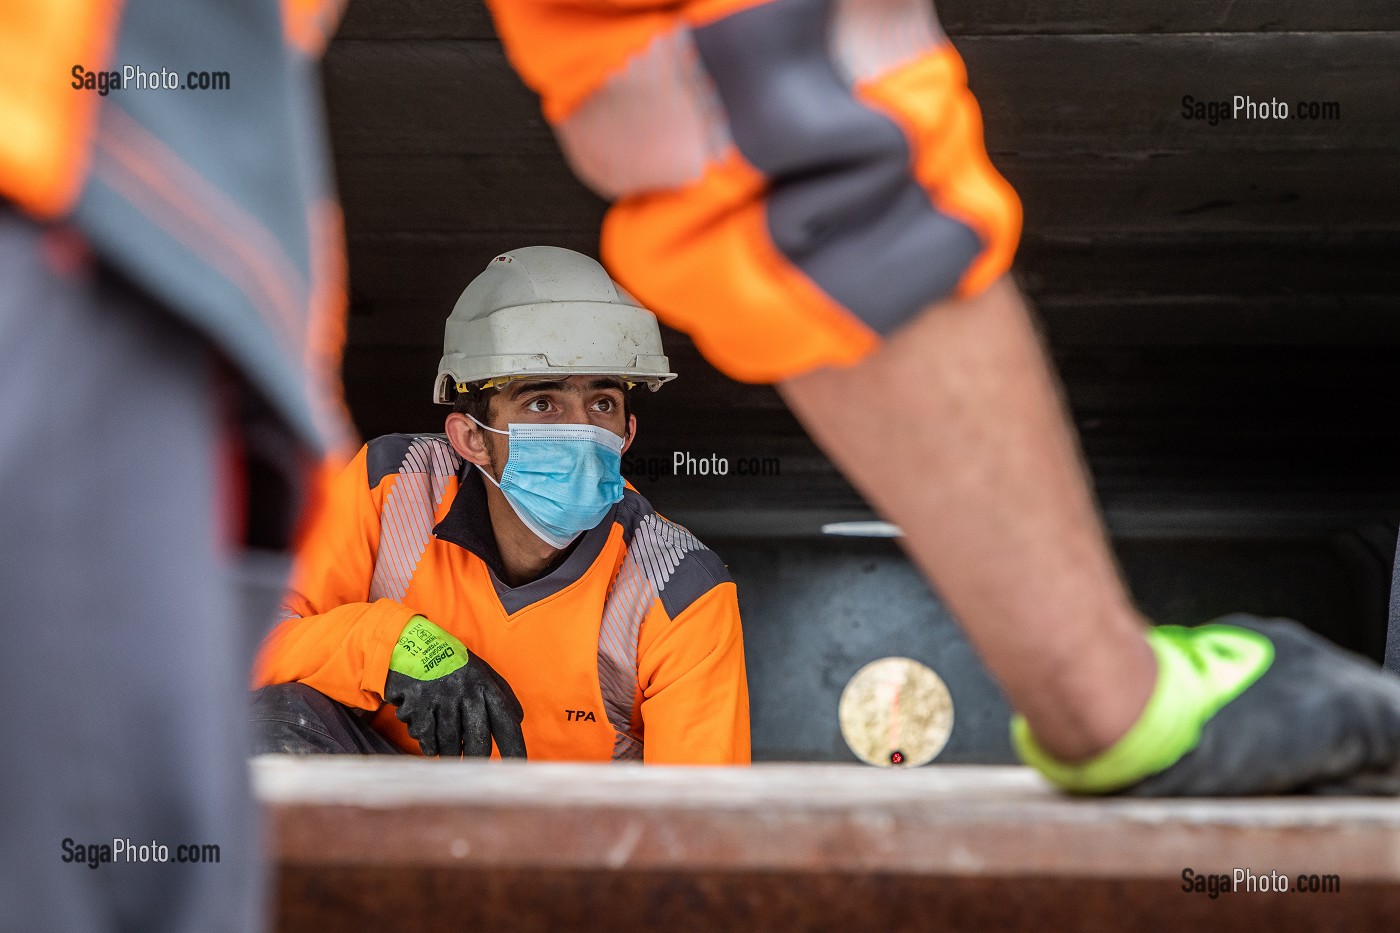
[1249,707]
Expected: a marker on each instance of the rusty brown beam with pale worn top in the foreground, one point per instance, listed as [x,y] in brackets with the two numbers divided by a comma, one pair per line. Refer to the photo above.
[359,844]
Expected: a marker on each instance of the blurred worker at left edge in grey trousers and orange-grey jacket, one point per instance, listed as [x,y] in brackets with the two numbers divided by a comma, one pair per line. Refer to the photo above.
[171,300]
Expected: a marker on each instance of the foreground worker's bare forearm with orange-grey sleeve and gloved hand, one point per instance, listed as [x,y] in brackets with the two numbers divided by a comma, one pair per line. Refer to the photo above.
[803,187]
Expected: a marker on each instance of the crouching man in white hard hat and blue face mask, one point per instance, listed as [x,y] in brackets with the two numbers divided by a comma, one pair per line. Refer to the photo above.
[500,582]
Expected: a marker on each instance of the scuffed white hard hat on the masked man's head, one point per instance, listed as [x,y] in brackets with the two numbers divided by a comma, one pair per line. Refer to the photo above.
[548,312]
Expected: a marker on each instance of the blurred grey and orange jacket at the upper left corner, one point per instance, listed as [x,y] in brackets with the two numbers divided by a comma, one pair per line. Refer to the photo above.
[218,202]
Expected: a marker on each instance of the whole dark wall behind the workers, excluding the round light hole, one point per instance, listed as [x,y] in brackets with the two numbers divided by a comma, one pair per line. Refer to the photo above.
[1220,300]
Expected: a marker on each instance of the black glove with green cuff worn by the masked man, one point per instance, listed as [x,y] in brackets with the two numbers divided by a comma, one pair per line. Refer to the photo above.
[453,701]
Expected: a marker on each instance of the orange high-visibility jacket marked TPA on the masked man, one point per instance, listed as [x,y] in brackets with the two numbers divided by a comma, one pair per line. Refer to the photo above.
[629,649]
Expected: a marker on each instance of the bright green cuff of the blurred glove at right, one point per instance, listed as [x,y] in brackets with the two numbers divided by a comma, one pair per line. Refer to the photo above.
[1198,672]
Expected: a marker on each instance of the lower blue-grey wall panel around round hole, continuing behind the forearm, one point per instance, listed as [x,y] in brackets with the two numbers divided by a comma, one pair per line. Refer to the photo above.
[817,611]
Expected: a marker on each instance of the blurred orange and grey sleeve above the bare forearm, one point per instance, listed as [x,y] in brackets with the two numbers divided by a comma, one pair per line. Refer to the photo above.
[792,179]
